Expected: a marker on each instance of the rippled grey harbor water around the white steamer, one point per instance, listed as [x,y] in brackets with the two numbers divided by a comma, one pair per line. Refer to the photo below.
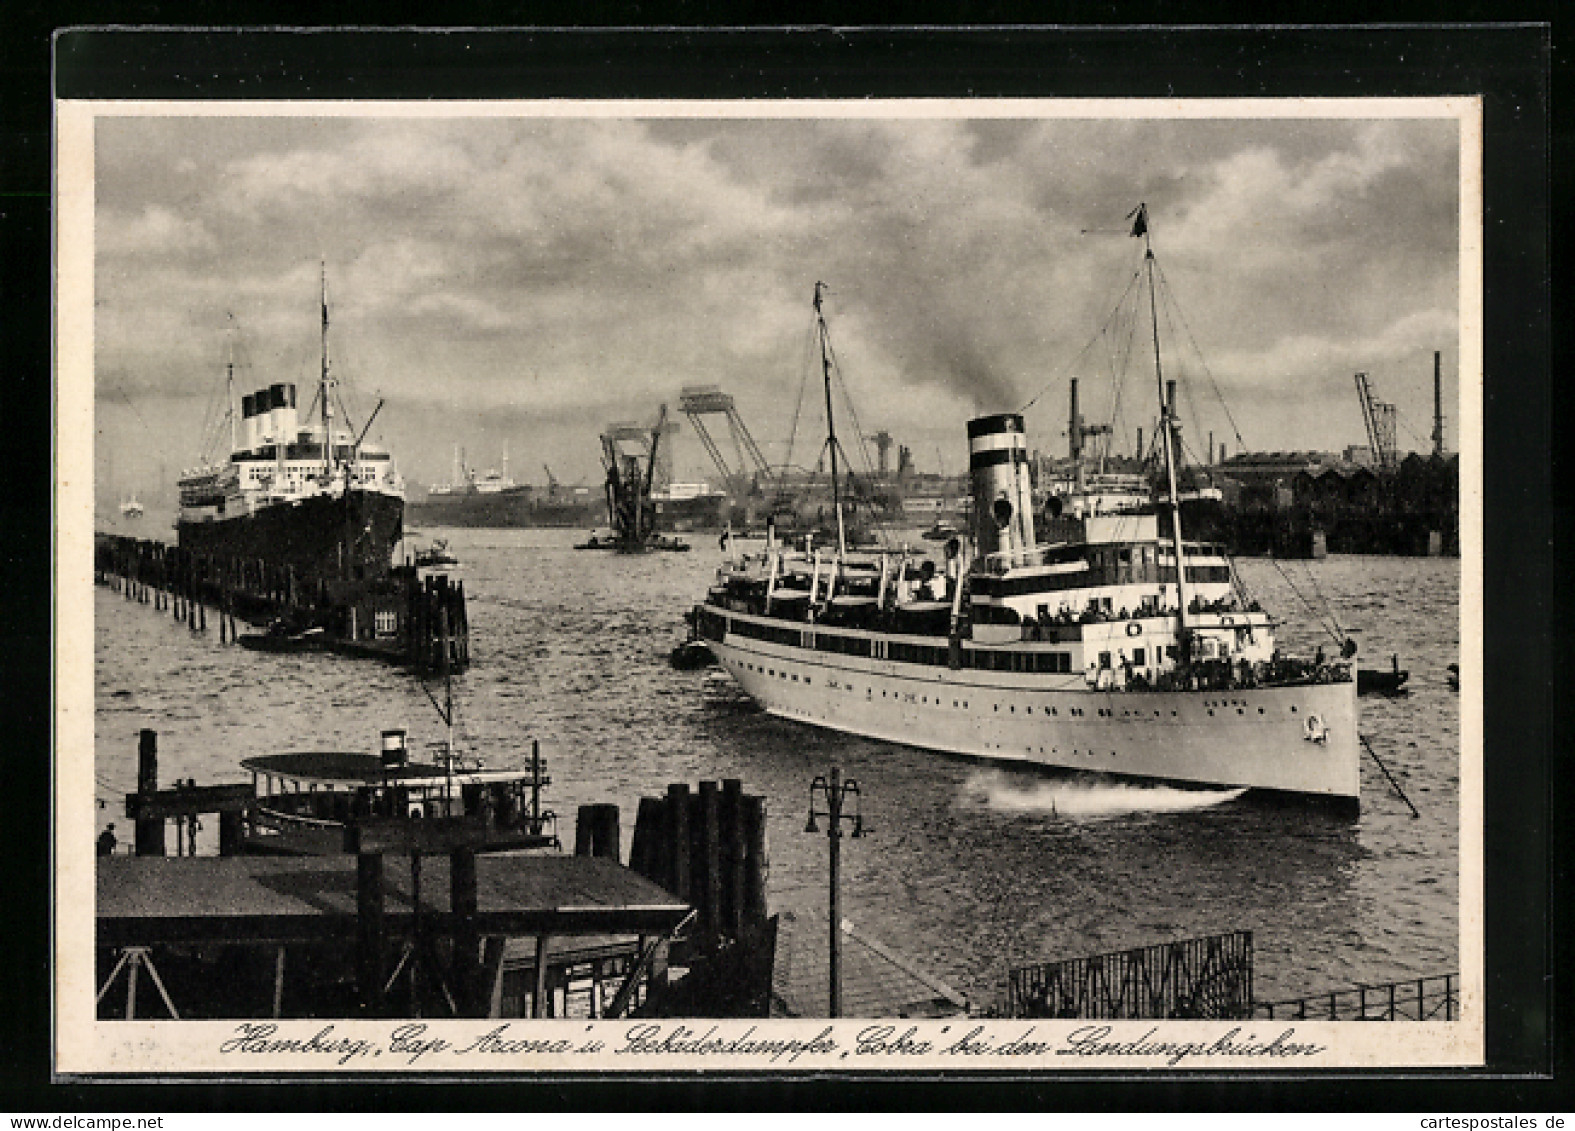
[969,869]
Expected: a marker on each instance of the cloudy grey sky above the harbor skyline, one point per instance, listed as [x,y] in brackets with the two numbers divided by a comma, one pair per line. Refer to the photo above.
[527,281]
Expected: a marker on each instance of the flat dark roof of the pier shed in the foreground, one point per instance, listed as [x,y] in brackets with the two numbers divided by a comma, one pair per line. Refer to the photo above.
[187,900]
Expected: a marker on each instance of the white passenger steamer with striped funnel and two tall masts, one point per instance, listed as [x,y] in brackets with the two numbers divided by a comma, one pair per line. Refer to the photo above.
[1111,645]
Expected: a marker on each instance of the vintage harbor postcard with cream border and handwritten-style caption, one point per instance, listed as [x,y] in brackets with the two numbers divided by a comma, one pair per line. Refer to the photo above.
[624,585]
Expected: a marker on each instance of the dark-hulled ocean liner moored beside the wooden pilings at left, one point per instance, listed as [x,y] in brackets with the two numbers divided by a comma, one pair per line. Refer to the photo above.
[309,497]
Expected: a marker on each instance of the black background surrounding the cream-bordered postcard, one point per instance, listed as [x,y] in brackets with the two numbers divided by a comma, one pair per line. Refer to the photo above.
[1510,65]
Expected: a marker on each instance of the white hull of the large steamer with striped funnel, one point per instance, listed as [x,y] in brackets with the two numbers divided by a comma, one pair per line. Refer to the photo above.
[1297,740]
